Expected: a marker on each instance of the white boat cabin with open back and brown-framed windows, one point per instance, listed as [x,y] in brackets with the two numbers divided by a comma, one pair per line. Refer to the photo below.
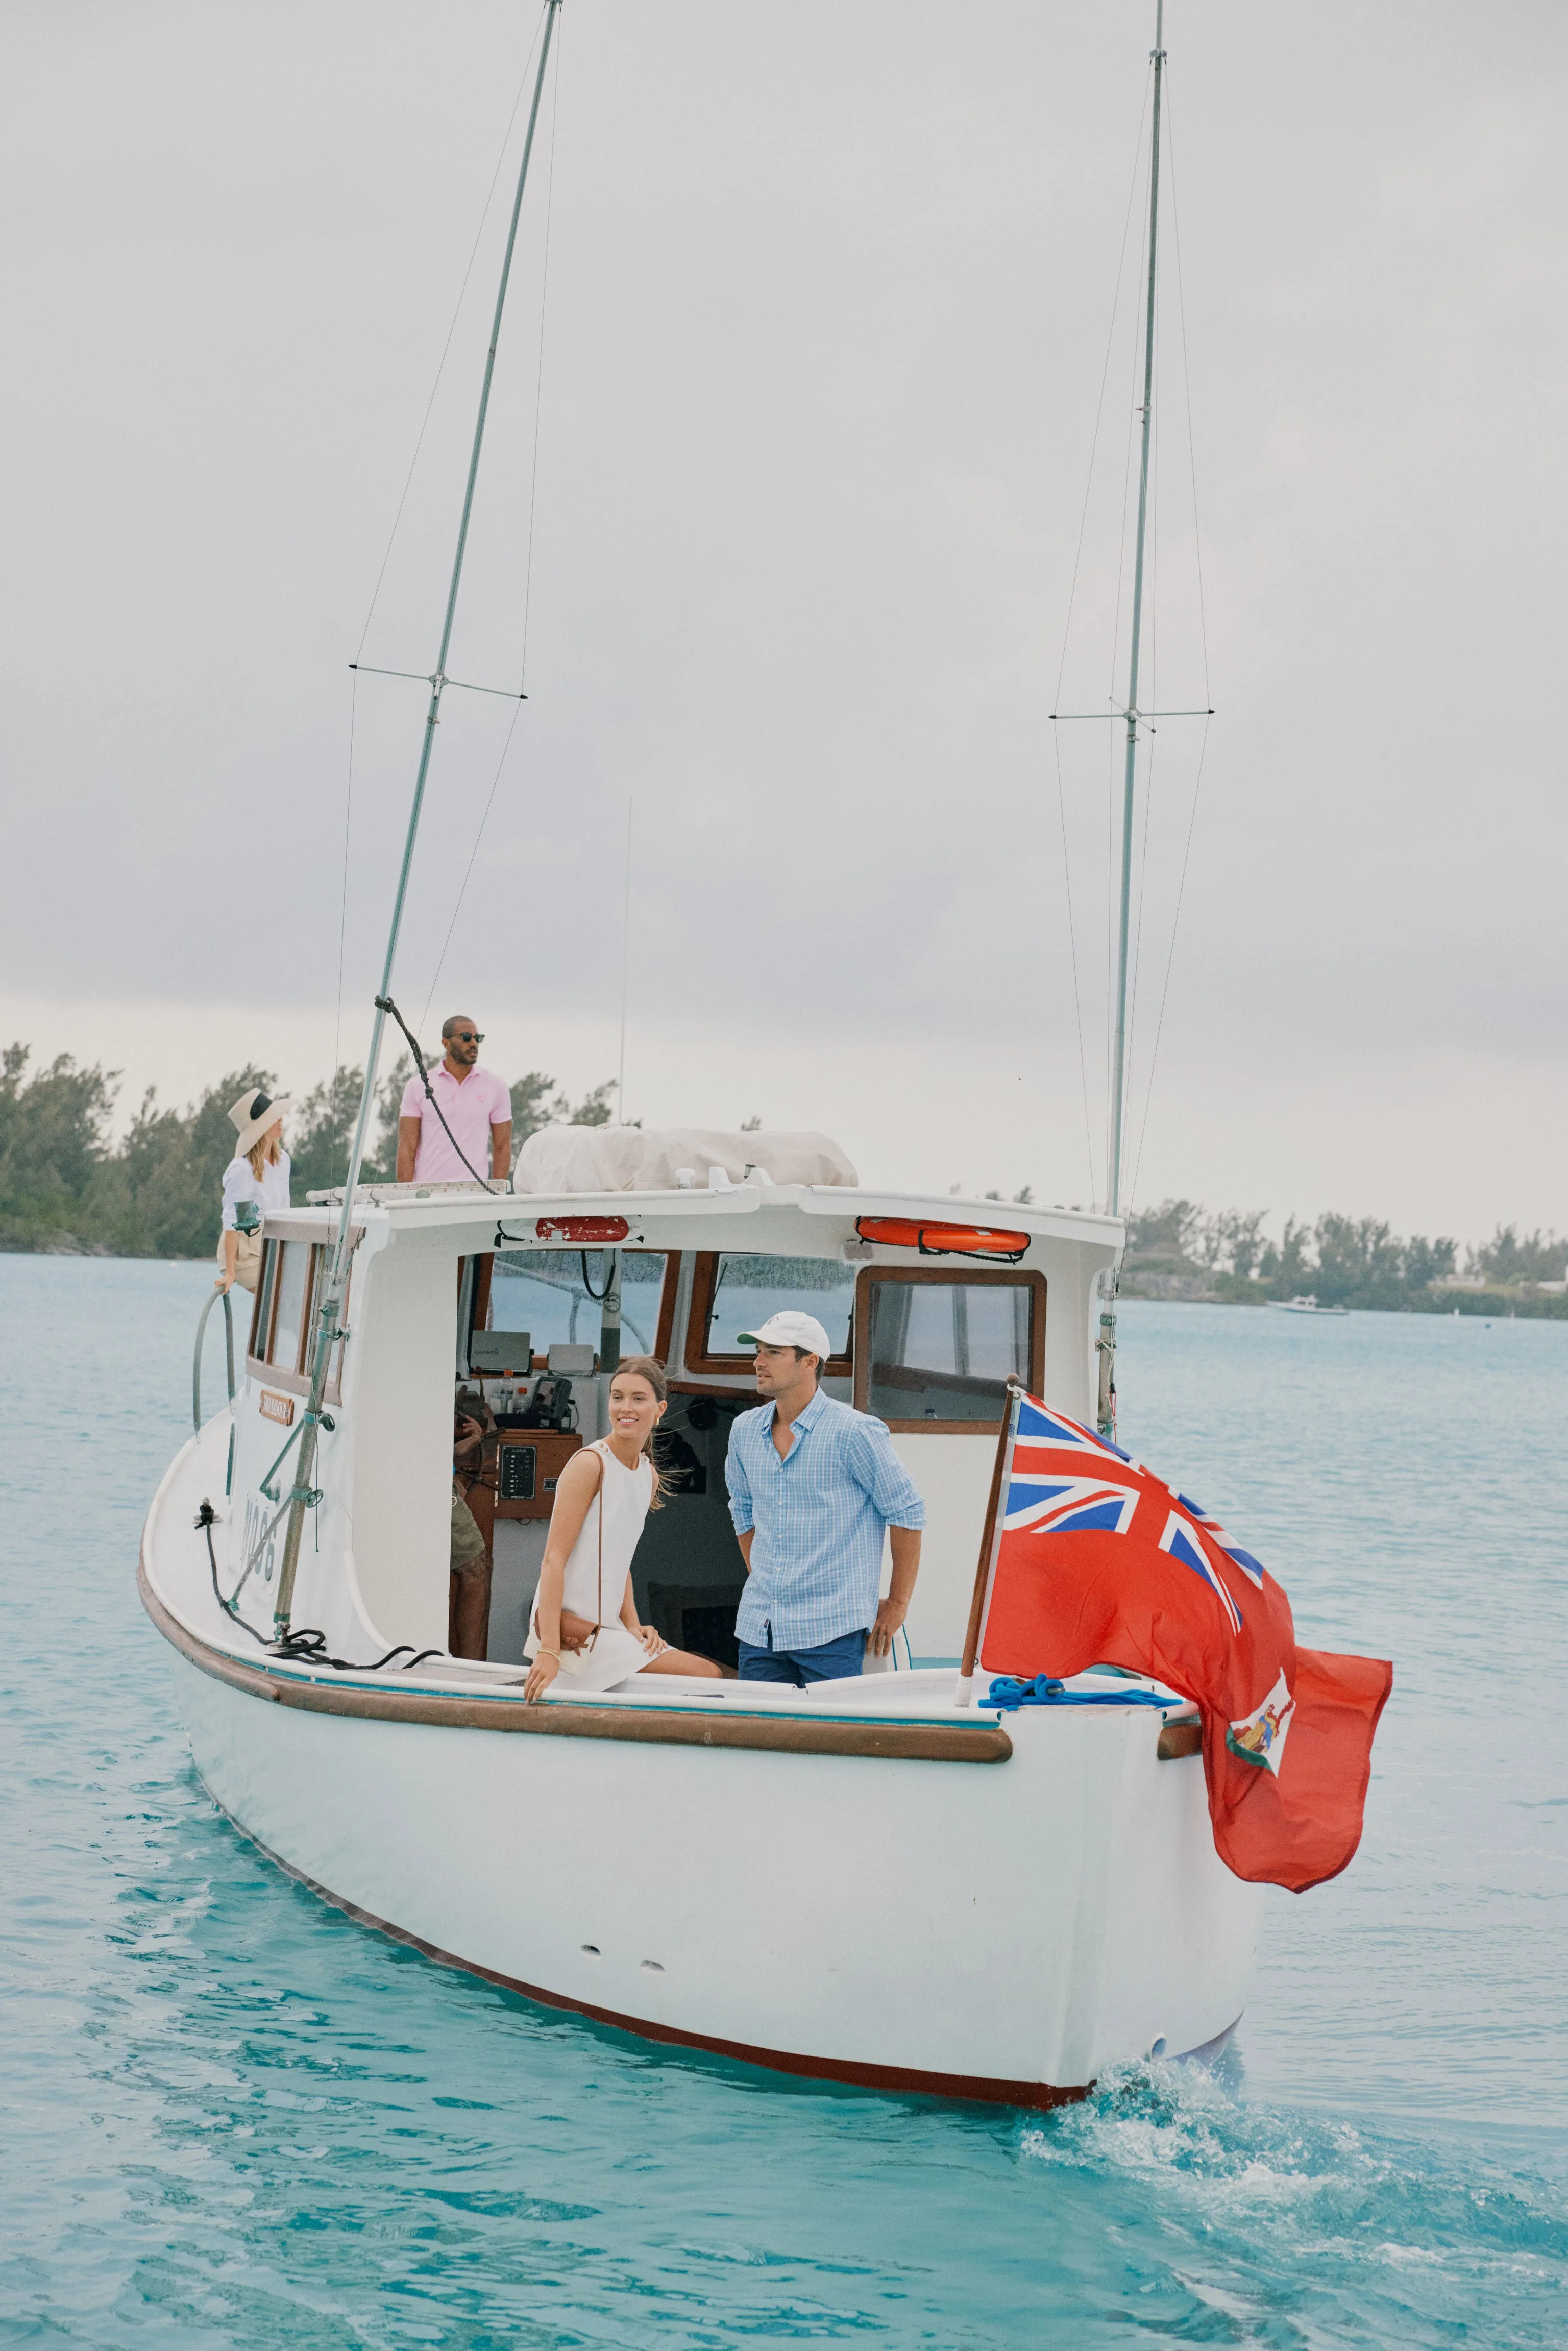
[525,1304]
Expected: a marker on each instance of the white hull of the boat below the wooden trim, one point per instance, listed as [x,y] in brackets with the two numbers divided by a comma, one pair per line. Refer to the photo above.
[986,1931]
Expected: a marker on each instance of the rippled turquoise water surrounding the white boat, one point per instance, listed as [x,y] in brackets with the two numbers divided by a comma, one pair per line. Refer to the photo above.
[232,2117]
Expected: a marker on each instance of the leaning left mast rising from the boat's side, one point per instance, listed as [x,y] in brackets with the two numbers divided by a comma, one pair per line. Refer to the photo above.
[304,1496]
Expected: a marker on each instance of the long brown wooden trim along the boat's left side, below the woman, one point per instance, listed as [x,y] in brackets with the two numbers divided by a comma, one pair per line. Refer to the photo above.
[892,1741]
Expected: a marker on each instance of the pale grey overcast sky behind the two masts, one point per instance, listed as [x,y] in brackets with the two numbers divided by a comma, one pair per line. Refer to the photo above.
[805,504]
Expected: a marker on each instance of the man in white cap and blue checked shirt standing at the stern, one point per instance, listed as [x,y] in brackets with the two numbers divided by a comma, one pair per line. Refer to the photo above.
[812,1489]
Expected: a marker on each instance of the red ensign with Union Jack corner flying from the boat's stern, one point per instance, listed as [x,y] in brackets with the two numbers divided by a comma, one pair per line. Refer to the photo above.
[1099,1562]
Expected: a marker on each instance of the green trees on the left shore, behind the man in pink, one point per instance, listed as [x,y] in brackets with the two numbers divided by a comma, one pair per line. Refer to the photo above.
[69,1186]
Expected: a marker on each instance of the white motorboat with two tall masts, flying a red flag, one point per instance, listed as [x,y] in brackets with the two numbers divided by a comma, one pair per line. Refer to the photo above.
[890,1880]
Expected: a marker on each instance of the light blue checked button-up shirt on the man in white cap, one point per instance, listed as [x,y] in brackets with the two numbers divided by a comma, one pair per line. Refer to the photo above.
[819,1520]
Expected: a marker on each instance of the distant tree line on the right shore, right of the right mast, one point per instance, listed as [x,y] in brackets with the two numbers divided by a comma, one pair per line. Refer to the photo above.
[1181,1250]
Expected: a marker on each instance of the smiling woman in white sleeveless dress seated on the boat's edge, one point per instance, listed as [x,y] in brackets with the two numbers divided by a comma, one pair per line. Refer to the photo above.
[584,1621]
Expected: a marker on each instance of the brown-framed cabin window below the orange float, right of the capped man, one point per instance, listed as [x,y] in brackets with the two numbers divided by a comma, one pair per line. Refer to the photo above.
[937,1351]
